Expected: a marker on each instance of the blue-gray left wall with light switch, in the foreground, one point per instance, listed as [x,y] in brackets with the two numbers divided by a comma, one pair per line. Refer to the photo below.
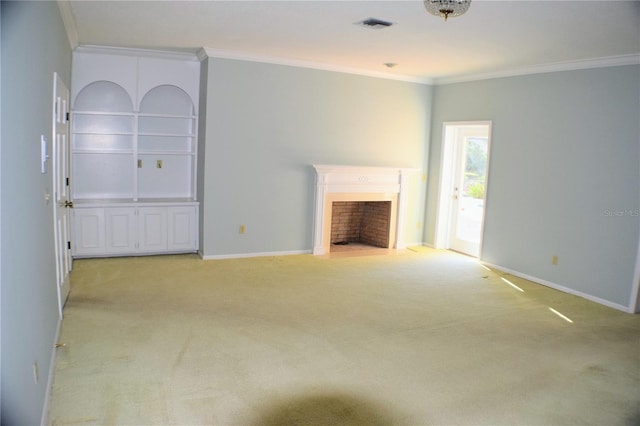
[34,45]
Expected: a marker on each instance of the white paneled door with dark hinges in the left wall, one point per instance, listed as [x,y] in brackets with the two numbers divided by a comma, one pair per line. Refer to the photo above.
[62,204]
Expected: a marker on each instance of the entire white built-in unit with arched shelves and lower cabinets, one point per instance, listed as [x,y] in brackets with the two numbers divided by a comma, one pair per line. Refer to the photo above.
[133,153]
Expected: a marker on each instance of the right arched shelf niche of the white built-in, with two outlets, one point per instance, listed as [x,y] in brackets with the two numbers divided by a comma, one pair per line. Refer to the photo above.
[167,126]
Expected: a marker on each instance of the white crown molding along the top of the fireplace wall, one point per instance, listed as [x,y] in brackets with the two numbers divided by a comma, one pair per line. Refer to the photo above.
[207,52]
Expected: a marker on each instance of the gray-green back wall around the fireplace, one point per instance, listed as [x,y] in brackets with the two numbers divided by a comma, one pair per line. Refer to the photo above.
[267,124]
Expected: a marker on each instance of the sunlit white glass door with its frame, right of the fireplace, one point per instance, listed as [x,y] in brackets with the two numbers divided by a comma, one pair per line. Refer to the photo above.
[463,187]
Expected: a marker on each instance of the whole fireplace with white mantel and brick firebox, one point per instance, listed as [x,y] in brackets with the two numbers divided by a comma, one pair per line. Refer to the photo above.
[351,195]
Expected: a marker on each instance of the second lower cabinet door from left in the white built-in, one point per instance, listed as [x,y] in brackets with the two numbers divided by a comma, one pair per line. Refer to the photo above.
[121,229]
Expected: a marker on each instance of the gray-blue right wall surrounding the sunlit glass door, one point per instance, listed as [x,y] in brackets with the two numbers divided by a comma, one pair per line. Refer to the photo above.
[565,161]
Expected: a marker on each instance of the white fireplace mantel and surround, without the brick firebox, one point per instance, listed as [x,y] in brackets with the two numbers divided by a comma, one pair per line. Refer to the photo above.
[360,184]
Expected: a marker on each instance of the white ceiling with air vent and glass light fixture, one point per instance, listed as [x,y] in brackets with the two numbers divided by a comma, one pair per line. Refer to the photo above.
[493,37]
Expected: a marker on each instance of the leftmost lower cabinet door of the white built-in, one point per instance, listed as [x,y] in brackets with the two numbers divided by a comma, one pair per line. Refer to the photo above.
[88,232]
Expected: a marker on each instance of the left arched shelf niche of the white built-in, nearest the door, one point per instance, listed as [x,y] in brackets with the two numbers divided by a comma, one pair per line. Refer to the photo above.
[102,142]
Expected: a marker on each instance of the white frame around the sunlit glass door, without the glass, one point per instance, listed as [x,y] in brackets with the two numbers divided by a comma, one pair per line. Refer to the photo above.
[447,177]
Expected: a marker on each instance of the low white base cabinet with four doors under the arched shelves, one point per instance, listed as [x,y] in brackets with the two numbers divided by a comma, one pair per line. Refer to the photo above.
[121,229]
